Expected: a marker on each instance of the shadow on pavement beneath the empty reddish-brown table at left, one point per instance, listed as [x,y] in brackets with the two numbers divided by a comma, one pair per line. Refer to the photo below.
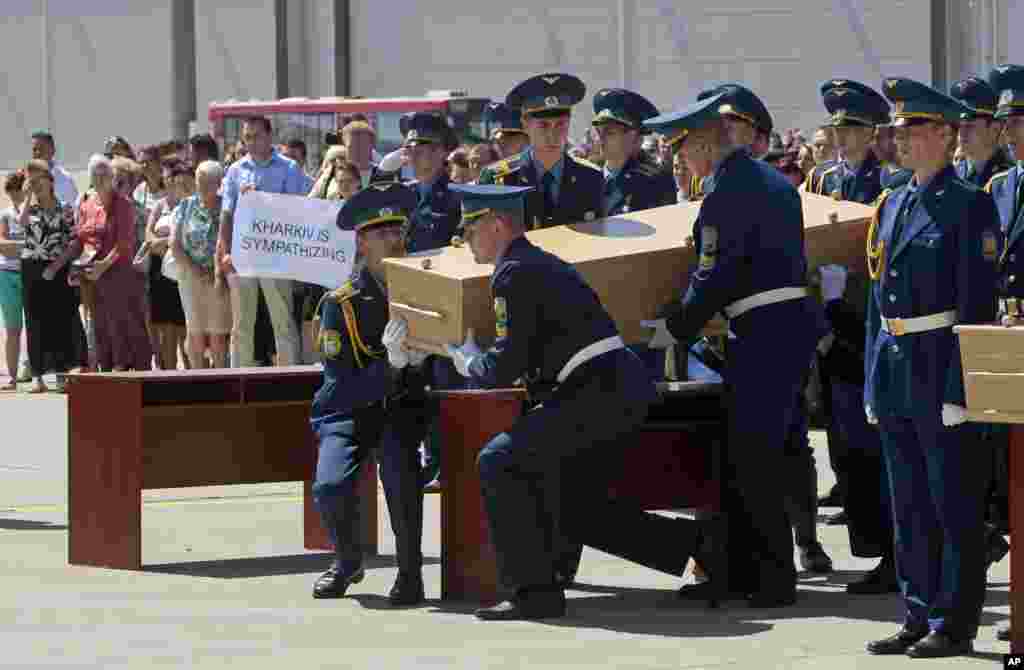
[266,566]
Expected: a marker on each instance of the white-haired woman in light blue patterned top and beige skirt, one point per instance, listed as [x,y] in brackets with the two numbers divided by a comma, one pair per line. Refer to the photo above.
[208,306]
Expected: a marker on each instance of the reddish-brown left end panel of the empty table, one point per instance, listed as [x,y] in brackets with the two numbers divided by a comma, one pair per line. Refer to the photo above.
[105,476]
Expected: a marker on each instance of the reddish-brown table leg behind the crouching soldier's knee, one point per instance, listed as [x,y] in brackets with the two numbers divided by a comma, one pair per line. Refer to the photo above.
[468,421]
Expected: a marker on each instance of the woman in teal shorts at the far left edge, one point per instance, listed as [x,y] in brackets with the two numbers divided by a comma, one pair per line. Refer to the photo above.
[12,236]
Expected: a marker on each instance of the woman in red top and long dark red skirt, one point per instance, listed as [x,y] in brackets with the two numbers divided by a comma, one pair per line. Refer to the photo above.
[106,239]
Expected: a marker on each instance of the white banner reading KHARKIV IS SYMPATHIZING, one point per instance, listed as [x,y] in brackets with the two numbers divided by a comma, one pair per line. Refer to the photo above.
[291,237]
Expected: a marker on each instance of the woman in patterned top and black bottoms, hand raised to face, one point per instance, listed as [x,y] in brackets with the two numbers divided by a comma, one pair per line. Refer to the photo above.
[50,302]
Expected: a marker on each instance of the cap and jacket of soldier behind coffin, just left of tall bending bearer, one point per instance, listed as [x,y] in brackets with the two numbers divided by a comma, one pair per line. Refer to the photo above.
[639,184]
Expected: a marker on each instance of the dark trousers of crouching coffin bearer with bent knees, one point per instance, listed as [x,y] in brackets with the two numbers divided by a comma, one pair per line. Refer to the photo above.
[545,481]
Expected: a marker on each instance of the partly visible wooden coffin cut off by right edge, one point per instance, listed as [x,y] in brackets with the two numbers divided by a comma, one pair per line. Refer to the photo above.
[994,372]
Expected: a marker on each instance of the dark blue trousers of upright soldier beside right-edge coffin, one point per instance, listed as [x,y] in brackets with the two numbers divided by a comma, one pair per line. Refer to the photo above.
[937,480]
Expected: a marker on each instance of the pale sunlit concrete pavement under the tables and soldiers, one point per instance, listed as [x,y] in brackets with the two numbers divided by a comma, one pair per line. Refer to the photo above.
[228,584]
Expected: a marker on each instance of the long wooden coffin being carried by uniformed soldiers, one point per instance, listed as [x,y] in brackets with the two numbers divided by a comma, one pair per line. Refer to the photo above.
[636,263]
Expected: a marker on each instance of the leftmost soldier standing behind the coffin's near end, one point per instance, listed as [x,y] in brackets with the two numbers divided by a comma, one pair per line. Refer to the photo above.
[428,145]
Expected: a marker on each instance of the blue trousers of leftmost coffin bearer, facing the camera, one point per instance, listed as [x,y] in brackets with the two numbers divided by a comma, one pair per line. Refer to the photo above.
[395,436]
